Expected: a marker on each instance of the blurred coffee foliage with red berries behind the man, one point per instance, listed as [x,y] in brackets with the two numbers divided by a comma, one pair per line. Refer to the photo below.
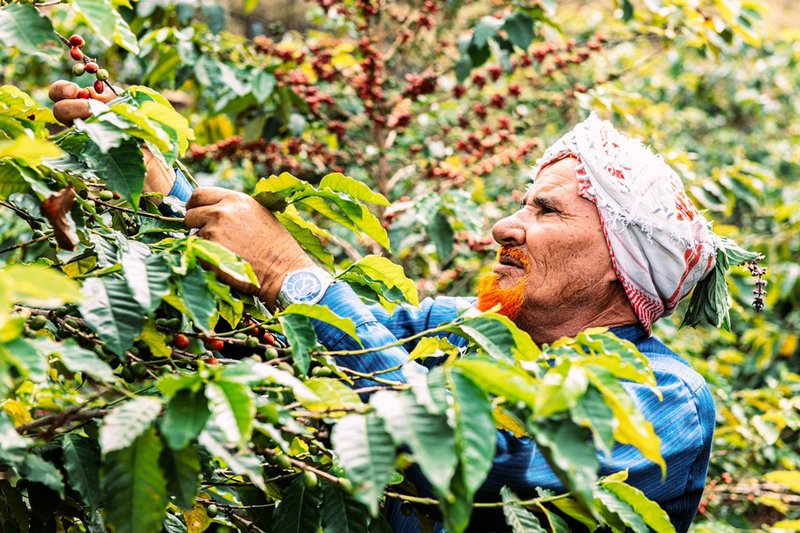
[430,106]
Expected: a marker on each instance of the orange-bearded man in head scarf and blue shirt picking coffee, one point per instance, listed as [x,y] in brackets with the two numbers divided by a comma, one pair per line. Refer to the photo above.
[605,236]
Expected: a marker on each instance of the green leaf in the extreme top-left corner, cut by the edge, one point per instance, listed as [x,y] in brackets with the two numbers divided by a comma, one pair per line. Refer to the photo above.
[24,28]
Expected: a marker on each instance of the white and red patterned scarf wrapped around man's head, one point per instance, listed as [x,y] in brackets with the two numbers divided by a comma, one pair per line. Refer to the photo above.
[660,245]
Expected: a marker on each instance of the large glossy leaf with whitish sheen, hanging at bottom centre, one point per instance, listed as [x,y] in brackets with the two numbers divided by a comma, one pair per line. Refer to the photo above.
[430,438]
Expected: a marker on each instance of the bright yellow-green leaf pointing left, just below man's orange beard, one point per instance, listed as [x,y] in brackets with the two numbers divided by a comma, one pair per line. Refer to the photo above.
[499,378]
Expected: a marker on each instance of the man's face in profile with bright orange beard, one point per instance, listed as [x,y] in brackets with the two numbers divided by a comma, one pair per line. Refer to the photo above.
[553,256]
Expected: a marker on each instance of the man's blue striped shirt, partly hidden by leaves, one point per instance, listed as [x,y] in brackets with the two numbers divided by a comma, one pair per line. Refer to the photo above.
[684,420]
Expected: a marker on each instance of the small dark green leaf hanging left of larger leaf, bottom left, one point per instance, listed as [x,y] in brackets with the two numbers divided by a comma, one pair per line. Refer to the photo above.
[82,463]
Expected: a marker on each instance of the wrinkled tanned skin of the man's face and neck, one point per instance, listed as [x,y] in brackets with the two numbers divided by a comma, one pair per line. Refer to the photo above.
[569,282]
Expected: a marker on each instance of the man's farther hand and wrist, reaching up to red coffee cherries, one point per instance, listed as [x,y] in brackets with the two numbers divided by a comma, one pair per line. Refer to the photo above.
[68,108]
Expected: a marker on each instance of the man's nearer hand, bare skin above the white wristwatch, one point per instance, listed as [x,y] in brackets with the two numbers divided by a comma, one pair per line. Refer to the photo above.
[248,229]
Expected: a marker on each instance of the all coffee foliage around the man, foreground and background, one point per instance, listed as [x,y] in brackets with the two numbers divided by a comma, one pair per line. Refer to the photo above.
[140,393]
